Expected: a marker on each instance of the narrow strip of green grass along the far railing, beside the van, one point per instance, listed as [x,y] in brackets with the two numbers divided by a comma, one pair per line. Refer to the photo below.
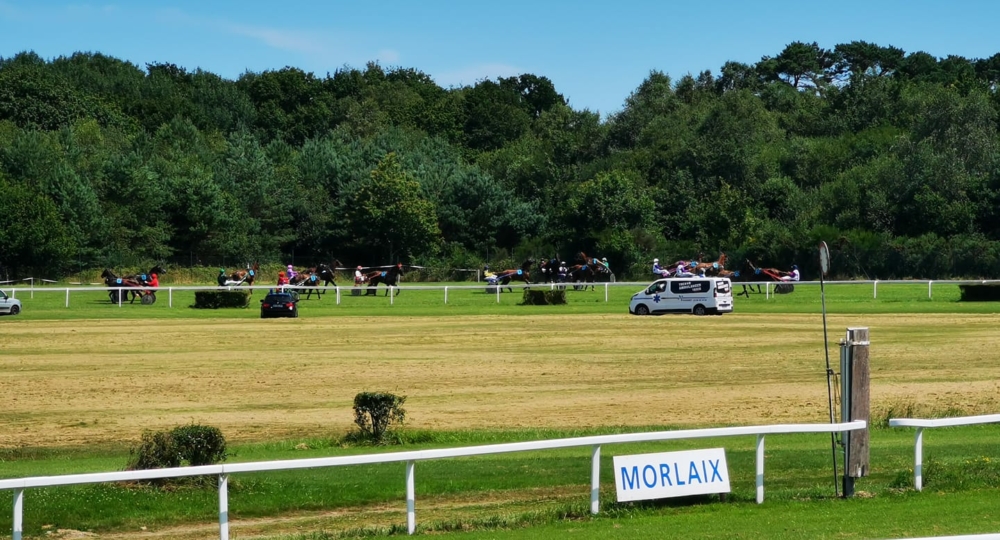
[49,302]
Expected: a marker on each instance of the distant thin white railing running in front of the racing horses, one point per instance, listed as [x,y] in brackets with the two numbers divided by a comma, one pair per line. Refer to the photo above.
[767,285]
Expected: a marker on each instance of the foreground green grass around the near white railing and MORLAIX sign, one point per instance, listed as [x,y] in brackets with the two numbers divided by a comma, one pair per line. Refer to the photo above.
[961,471]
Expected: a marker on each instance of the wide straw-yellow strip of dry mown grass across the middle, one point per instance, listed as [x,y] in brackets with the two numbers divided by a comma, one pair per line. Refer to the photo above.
[87,382]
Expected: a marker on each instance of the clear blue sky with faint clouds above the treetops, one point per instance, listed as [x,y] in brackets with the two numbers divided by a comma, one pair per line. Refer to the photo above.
[596,53]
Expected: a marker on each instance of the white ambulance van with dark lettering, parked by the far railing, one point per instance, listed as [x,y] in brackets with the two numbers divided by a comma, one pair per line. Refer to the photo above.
[700,295]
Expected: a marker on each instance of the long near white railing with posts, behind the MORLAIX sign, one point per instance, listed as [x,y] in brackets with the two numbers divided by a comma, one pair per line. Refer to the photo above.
[18,485]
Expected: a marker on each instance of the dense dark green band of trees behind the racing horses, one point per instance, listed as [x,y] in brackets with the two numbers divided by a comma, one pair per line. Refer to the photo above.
[890,157]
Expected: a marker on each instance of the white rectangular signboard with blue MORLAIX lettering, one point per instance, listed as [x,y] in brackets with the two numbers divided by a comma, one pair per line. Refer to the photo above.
[671,474]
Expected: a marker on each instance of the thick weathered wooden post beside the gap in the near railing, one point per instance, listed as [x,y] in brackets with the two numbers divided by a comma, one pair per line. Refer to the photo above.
[858,408]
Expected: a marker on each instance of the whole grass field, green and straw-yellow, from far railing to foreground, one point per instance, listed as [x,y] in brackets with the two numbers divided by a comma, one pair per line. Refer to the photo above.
[78,384]
